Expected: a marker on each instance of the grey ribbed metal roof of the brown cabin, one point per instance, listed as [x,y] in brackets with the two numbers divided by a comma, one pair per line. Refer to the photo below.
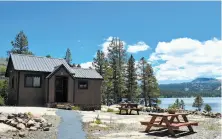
[44,64]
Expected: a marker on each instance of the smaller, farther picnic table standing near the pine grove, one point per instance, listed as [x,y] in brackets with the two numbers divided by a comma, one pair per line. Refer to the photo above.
[128,107]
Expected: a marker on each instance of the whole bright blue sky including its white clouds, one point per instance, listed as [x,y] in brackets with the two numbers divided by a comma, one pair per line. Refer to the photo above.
[181,40]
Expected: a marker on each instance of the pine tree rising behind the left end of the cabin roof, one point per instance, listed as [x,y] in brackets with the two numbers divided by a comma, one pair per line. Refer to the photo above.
[20,45]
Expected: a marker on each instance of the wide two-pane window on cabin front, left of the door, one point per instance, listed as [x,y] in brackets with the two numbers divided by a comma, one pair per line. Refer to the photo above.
[33,81]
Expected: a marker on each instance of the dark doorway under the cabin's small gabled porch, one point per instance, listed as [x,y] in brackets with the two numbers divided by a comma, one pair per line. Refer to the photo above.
[61,89]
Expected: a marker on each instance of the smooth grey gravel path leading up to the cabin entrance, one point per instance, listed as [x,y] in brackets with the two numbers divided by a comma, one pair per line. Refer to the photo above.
[70,126]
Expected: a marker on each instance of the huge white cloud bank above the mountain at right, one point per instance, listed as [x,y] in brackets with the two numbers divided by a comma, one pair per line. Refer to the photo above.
[186,59]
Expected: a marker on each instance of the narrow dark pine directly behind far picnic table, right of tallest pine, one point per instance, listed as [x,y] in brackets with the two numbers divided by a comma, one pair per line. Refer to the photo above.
[131,79]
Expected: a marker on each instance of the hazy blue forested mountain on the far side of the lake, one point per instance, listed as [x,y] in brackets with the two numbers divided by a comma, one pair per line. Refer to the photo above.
[206,86]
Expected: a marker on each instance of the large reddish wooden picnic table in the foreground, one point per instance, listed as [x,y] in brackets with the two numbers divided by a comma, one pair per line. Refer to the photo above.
[166,120]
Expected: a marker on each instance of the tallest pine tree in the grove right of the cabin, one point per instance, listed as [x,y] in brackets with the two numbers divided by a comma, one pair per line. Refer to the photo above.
[117,59]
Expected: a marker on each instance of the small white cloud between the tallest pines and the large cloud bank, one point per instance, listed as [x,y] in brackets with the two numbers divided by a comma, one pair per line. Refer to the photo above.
[140,46]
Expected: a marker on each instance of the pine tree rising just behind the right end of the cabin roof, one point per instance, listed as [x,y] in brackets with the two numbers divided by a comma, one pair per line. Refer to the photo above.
[99,62]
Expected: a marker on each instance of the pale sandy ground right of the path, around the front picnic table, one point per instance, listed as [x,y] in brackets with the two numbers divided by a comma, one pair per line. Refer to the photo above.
[115,126]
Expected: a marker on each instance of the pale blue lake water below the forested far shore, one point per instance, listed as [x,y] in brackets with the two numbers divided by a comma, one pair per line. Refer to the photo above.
[214,102]
